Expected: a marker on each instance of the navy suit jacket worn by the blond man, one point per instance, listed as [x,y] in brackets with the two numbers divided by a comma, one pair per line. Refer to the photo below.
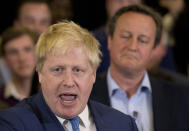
[33,114]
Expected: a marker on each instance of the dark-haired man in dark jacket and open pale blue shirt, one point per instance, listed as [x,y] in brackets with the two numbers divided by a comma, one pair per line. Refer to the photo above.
[156,103]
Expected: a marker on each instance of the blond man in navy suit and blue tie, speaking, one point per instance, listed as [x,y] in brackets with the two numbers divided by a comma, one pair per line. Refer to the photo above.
[67,59]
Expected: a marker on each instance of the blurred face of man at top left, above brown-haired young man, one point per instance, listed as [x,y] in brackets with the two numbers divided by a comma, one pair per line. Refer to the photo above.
[34,16]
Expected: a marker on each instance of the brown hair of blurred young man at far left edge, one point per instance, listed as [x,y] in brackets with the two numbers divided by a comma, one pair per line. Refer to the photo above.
[13,33]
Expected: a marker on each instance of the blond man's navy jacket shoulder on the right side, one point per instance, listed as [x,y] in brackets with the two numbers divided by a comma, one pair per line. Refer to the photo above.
[114,118]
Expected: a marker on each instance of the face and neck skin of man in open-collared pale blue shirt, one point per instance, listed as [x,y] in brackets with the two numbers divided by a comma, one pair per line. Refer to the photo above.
[130,50]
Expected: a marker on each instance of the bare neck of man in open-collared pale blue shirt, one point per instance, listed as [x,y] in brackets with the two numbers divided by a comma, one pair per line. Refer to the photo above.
[127,80]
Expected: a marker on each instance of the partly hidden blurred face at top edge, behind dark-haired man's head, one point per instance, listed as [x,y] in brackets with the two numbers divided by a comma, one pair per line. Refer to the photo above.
[112,6]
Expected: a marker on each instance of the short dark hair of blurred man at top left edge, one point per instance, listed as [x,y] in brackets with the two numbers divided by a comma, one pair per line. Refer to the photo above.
[20,3]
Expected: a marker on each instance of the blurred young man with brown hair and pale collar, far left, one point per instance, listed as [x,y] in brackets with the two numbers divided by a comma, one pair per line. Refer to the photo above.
[17,48]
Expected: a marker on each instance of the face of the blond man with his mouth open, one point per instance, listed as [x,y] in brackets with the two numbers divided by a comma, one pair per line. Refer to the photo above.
[66,81]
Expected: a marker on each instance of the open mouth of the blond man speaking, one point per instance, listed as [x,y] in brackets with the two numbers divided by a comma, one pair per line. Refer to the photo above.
[68,98]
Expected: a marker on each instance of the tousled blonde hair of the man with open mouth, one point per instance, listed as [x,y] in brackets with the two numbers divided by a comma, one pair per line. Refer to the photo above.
[63,36]
